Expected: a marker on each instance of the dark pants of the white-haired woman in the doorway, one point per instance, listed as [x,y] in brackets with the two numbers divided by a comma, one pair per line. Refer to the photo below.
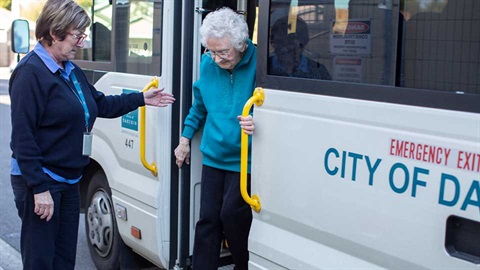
[222,212]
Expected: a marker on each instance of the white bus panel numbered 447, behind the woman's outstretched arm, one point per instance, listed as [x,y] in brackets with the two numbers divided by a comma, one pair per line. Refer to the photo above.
[116,147]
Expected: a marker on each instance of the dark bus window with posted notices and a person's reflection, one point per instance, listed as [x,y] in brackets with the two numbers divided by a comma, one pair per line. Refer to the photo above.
[342,40]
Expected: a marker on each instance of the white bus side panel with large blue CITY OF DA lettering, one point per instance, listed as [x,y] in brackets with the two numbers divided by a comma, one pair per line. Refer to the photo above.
[357,184]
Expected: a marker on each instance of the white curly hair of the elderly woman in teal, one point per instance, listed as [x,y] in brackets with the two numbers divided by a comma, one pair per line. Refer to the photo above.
[223,23]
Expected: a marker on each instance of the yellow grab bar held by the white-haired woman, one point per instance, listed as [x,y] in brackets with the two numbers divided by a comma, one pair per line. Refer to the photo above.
[254,202]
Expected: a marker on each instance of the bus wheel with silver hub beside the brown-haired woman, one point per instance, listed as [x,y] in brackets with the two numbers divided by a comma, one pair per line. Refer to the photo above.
[104,241]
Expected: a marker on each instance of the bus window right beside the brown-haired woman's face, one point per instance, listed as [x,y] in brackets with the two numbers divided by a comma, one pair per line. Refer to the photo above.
[98,44]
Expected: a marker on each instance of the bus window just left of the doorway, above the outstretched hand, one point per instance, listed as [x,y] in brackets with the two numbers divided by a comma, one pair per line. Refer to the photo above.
[138,42]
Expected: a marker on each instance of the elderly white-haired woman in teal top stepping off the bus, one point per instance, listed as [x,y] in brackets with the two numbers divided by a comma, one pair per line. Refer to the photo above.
[227,81]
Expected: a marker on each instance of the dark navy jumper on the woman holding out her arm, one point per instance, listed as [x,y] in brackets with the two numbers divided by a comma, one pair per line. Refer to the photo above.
[48,121]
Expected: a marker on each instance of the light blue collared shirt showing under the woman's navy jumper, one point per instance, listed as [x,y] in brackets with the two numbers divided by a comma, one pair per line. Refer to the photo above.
[65,73]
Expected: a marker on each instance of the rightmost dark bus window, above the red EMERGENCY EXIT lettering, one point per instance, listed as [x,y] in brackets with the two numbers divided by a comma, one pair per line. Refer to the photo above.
[441,46]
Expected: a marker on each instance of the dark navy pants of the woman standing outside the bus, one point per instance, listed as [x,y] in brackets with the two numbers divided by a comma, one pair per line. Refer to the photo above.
[53,244]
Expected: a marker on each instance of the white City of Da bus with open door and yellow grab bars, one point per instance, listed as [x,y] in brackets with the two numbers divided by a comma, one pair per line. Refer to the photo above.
[366,152]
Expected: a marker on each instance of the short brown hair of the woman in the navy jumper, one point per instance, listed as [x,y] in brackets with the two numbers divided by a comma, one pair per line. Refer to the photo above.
[60,17]
